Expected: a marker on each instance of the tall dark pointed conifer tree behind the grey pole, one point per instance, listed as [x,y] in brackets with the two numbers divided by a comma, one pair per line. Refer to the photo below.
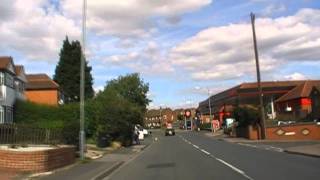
[67,73]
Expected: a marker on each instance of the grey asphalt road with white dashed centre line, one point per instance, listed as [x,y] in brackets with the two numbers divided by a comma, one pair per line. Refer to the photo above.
[193,156]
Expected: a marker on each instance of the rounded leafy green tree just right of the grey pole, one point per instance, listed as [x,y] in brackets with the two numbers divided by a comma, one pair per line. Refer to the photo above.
[120,106]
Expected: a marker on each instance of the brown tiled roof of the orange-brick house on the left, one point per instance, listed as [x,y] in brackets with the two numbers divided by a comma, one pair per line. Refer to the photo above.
[40,81]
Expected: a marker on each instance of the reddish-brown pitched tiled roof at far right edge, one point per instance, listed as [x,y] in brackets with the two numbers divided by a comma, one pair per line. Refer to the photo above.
[300,91]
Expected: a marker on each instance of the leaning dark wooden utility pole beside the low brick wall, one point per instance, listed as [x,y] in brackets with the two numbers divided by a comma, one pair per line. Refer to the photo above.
[261,107]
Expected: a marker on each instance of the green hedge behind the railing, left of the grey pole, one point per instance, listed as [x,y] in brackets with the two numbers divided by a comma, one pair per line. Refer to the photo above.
[65,117]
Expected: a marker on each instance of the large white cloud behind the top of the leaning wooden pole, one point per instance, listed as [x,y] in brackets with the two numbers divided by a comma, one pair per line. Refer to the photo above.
[226,52]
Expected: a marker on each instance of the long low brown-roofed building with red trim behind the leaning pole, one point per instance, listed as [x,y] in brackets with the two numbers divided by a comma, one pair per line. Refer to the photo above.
[276,94]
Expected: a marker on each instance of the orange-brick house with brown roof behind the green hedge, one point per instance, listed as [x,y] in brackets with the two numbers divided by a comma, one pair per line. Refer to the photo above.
[42,89]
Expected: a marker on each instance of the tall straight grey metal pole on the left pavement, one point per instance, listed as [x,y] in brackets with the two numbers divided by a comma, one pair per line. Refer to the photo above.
[82,79]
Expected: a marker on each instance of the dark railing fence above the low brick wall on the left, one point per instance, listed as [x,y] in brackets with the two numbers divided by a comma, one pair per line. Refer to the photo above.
[22,134]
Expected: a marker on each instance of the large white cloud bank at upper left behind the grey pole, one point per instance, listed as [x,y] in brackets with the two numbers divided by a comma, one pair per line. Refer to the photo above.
[36,28]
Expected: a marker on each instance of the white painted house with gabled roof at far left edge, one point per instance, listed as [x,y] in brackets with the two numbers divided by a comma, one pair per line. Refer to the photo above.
[12,85]
